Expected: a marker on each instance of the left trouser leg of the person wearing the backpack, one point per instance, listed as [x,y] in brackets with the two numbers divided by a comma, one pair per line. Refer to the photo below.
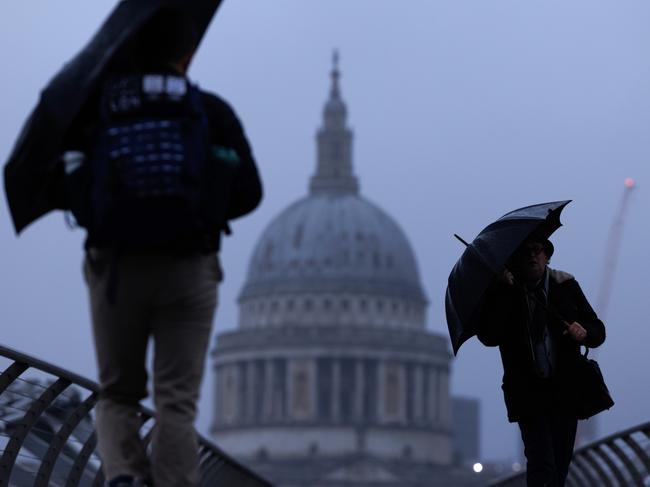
[120,335]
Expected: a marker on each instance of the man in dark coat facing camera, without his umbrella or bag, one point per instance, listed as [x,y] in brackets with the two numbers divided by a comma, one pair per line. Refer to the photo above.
[539,318]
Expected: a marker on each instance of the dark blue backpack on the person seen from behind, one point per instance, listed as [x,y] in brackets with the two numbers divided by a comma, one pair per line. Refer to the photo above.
[147,181]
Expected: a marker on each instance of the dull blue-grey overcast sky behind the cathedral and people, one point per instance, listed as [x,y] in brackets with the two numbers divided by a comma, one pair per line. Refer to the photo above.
[462,110]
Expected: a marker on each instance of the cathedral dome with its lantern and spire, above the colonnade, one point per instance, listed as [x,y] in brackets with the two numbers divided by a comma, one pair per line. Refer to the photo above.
[333,257]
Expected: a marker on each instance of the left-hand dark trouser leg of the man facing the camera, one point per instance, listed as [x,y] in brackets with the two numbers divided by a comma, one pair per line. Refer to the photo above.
[538,448]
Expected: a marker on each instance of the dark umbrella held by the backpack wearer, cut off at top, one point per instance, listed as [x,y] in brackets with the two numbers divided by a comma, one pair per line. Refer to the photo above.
[32,172]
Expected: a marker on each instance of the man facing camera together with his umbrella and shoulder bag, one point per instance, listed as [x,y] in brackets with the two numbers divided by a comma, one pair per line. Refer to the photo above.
[503,290]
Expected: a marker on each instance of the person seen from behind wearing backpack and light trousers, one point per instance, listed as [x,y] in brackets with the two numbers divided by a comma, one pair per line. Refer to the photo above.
[154,177]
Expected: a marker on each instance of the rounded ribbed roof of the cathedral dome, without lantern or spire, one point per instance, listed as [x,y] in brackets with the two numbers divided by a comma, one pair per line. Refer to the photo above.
[333,241]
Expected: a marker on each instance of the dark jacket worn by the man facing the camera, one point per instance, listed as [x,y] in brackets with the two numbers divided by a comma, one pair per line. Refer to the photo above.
[503,322]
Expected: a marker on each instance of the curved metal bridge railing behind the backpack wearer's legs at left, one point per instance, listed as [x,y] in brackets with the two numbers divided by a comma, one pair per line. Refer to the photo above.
[47,433]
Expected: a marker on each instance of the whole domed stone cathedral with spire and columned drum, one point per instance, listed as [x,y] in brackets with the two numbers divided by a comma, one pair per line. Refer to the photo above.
[331,378]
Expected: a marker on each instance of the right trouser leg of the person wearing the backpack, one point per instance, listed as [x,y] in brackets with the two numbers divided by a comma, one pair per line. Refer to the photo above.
[181,328]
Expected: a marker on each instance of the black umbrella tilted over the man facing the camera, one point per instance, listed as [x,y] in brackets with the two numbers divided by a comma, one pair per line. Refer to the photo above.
[486,256]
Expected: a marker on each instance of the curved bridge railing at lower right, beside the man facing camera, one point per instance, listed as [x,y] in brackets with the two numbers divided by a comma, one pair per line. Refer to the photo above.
[619,460]
